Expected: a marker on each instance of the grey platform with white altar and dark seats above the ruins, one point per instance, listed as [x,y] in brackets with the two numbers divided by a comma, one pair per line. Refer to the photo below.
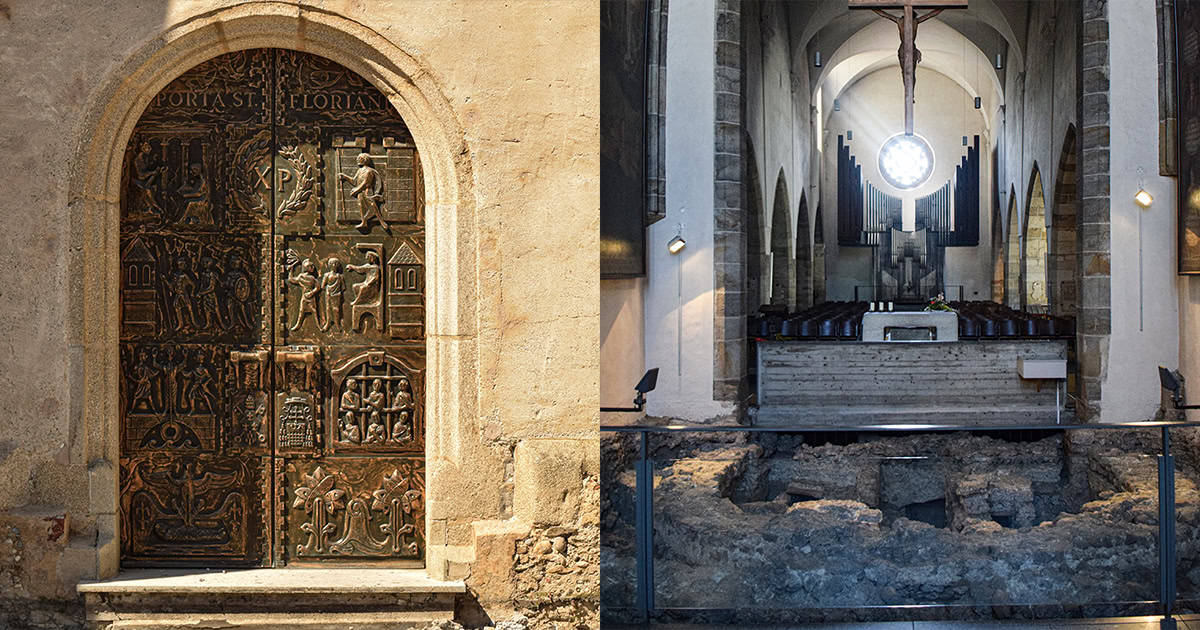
[914,368]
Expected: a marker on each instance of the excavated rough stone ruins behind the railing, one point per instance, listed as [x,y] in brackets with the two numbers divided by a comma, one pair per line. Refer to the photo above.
[772,529]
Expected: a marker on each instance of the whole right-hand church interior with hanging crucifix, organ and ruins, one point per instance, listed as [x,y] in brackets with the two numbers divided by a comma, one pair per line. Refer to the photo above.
[909,309]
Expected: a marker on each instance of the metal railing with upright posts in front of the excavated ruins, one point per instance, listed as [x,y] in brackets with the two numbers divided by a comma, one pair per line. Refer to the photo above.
[645,605]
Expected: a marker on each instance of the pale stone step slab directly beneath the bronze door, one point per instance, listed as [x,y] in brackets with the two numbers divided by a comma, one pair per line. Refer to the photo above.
[281,581]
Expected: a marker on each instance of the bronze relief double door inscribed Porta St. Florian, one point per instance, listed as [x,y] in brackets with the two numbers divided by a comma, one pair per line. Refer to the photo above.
[273,344]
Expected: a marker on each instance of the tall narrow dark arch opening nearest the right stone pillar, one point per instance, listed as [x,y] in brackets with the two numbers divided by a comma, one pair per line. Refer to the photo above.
[1064,261]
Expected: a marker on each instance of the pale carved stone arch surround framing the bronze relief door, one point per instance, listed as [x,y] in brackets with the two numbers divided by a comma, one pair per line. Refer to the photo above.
[94,205]
